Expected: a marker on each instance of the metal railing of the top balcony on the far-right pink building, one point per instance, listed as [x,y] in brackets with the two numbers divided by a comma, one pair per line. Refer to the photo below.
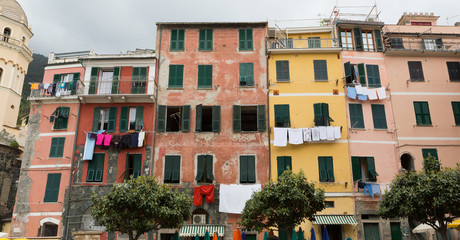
[434,45]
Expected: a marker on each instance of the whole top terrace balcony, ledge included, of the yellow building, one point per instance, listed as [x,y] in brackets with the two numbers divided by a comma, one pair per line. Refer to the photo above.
[303,45]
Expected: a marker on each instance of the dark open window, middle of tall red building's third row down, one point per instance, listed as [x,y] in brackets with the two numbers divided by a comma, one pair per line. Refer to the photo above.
[207,118]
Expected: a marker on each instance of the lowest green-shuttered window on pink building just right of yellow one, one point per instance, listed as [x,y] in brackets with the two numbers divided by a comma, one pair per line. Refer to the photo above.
[364,169]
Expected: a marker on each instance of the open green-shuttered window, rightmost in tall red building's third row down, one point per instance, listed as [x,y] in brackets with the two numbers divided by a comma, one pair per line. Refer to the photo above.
[249,118]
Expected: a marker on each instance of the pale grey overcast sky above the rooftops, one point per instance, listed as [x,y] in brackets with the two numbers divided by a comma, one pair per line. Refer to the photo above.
[113,26]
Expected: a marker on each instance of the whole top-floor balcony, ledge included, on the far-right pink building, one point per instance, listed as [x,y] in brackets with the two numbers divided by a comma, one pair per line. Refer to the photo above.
[422,46]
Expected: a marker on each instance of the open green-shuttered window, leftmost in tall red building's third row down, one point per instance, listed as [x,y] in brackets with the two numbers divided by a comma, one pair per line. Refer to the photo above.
[173,118]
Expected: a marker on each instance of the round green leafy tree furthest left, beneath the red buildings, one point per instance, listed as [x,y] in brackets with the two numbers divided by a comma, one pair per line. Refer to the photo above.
[141,205]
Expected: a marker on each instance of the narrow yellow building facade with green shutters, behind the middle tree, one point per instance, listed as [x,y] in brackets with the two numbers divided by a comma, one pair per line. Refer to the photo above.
[306,80]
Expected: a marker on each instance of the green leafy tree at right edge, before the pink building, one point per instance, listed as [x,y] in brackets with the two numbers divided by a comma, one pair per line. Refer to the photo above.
[428,196]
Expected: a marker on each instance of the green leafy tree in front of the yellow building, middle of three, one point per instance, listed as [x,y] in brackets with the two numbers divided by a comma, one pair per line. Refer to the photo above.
[283,204]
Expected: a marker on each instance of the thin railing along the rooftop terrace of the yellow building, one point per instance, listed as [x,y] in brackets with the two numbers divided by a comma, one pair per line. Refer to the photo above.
[302,43]
